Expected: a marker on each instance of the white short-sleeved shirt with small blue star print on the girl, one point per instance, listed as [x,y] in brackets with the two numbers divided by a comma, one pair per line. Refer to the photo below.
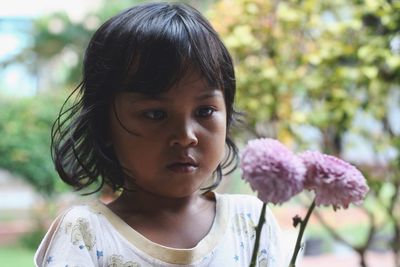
[92,235]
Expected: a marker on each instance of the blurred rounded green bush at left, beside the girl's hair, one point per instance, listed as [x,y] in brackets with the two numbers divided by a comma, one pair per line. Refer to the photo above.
[25,125]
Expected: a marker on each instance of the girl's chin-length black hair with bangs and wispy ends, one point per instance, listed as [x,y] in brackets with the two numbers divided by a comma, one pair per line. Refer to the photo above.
[146,49]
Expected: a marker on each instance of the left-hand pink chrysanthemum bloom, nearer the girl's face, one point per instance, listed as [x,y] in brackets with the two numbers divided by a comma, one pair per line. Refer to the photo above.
[272,170]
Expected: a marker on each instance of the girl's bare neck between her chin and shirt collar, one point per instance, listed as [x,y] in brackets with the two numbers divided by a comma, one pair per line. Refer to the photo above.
[174,222]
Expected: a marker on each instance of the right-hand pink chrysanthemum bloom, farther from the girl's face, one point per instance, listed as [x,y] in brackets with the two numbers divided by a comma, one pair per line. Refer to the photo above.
[334,181]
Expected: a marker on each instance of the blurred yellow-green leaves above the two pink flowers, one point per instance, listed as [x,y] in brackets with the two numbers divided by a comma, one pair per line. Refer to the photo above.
[311,62]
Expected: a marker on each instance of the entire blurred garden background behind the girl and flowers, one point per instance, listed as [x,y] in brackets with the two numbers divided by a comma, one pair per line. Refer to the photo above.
[315,74]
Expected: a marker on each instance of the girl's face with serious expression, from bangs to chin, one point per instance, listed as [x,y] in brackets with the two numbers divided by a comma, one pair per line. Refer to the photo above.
[179,136]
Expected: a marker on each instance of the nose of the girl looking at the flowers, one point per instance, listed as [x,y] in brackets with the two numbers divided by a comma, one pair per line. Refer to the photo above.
[184,134]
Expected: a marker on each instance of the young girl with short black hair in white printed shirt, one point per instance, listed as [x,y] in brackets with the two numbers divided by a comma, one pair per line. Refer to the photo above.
[152,122]
